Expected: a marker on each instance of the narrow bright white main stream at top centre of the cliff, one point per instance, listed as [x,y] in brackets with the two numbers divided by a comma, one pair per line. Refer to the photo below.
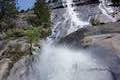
[76,22]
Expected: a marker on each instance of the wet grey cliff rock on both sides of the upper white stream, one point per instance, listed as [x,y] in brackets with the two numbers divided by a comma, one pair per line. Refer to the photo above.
[86,12]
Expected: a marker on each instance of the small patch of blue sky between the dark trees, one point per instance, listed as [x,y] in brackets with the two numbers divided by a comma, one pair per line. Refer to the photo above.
[25,4]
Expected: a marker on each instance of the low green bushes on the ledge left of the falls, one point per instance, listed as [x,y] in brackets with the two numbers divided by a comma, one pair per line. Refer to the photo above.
[33,34]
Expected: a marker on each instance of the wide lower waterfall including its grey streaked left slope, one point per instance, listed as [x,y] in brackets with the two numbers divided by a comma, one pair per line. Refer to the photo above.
[61,63]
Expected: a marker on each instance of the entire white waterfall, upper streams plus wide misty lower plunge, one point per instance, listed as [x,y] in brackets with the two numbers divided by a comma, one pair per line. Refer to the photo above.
[61,63]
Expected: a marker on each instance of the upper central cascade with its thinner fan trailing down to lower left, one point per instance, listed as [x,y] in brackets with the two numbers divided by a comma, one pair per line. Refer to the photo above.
[70,16]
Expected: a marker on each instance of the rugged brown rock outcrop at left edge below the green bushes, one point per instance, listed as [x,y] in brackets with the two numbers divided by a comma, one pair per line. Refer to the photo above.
[11,51]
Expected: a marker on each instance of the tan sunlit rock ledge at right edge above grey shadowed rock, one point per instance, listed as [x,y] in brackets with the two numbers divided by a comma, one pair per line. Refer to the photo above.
[109,41]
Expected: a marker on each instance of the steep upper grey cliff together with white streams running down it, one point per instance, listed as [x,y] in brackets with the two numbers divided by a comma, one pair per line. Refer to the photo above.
[63,18]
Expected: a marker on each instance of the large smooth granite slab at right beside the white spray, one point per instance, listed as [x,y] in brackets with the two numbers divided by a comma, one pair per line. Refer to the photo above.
[103,43]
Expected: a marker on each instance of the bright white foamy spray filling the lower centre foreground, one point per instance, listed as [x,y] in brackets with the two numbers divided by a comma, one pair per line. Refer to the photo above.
[60,63]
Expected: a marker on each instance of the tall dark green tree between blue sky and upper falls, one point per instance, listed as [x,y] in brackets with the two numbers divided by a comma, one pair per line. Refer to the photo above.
[43,13]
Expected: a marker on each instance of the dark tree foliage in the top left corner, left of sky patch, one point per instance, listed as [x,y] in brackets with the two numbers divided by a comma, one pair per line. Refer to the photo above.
[7,14]
